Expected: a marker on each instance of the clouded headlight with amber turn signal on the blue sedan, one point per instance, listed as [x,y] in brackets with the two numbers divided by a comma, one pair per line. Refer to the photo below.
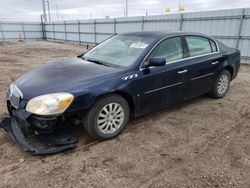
[50,104]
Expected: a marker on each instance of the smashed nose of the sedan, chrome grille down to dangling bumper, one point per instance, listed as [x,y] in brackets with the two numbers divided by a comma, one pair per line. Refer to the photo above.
[34,133]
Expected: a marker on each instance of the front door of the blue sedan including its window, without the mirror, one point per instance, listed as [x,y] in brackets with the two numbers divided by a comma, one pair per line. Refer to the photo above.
[164,84]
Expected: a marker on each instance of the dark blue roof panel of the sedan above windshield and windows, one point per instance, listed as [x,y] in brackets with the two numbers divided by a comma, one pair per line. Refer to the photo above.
[162,34]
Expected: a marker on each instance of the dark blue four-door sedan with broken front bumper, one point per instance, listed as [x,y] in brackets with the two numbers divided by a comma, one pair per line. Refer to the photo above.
[127,75]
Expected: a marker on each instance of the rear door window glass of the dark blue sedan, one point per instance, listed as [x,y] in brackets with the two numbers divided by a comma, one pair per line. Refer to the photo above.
[198,45]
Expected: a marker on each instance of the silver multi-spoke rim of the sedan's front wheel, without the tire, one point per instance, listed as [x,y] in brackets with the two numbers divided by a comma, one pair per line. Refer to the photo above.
[110,118]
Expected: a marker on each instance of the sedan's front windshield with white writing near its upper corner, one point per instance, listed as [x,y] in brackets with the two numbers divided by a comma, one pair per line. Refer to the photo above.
[118,51]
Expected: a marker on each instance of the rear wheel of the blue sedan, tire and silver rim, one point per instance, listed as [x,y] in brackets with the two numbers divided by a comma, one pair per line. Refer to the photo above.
[221,85]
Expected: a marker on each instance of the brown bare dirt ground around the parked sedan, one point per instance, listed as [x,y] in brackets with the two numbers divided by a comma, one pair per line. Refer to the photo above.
[201,143]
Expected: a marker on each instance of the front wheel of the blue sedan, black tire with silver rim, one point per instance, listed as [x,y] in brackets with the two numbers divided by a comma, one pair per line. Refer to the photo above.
[104,120]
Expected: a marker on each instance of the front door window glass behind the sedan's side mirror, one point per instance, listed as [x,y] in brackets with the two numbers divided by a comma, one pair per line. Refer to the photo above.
[169,49]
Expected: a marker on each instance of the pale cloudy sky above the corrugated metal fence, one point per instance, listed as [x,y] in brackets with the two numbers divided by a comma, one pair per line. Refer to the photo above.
[31,10]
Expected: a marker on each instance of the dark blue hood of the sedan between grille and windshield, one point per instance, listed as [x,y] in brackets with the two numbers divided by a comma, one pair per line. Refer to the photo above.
[68,75]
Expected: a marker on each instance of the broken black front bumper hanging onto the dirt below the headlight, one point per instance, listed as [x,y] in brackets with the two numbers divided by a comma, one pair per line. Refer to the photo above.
[26,136]
